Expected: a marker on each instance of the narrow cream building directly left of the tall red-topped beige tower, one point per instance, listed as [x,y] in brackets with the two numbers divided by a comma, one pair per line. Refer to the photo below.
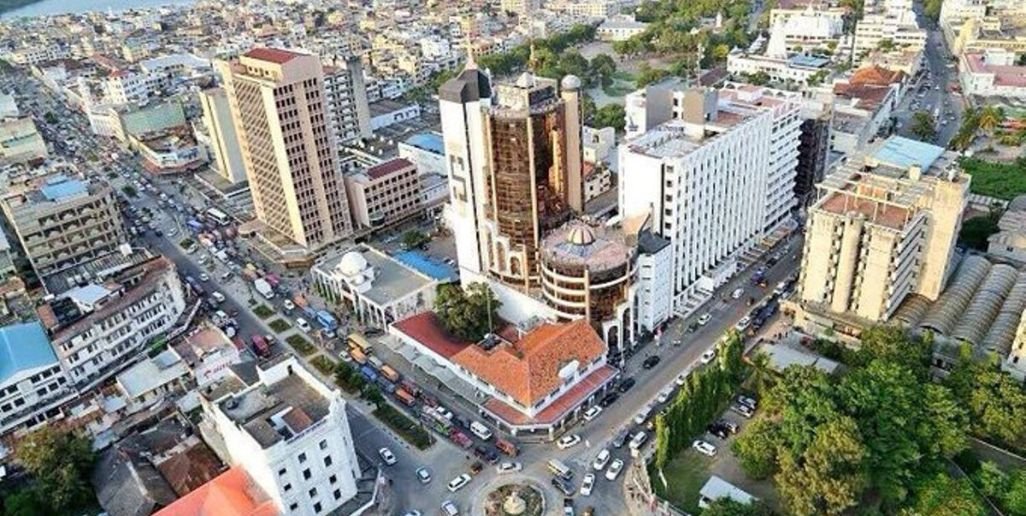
[224,140]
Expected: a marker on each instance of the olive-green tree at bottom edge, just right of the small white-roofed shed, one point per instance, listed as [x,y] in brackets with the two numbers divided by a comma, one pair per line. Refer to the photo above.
[830,478]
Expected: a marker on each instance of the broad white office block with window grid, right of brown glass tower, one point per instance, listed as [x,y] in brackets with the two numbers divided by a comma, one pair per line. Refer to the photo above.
[715,170]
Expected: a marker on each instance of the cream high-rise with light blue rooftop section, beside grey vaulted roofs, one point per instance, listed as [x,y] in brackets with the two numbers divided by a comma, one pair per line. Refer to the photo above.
[885,227]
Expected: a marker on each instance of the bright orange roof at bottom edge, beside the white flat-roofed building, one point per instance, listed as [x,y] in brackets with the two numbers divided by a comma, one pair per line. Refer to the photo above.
[231,494]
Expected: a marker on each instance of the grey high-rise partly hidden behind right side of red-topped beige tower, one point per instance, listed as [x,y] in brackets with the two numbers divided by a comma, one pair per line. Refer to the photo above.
[346,95]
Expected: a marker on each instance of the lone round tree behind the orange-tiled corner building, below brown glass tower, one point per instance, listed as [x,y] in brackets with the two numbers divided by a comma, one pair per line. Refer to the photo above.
[467,314]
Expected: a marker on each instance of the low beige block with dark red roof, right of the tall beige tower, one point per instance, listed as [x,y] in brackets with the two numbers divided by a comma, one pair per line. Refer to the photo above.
[385,194]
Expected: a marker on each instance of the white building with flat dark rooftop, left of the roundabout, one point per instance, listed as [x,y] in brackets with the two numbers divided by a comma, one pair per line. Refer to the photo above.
[291,434]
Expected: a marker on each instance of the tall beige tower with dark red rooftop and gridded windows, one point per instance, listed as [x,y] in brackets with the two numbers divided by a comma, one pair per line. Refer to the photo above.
[282,116]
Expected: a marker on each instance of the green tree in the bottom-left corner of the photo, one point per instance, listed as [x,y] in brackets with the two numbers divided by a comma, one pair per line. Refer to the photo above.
[60,462]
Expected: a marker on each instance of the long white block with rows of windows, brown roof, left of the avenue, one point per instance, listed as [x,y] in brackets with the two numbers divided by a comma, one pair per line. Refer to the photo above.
[98,330]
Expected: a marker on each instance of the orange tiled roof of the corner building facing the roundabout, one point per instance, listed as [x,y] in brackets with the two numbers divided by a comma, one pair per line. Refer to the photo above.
[529,370]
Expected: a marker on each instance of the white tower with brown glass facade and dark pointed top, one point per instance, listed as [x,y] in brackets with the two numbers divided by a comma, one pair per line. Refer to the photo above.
[516,169]
